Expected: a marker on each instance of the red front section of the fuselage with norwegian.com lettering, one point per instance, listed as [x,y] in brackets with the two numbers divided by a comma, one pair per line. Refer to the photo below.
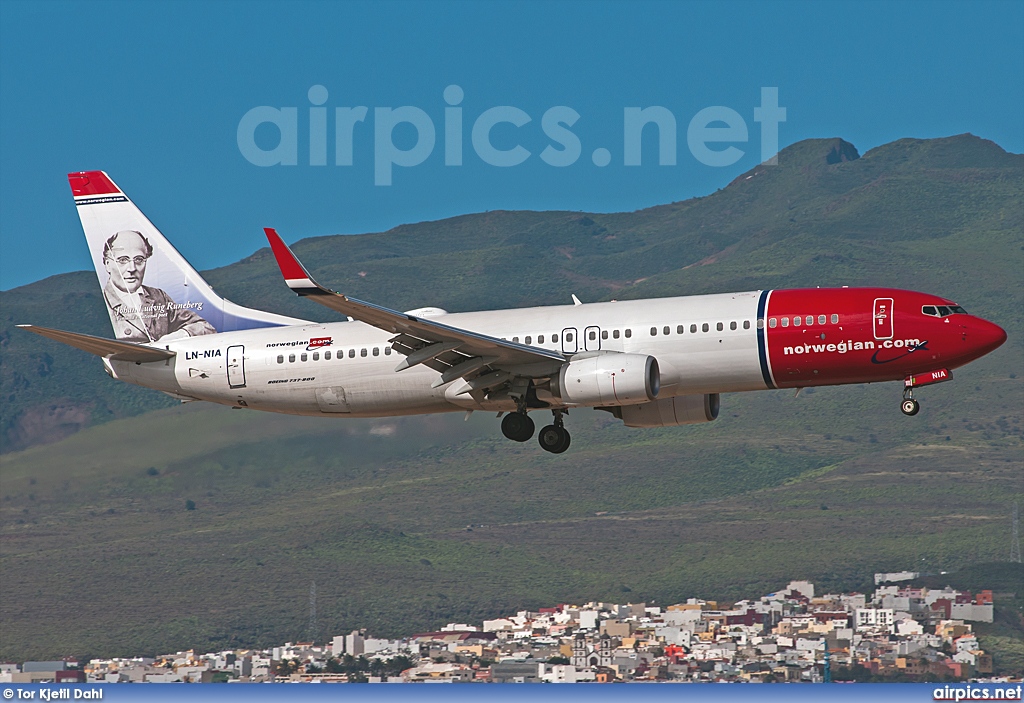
[871,340]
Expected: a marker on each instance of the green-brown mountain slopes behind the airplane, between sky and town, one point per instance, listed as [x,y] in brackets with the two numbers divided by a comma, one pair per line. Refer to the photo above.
[407,524]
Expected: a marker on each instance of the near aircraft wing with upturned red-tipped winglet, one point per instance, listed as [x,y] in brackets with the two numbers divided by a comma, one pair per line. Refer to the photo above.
[453,351]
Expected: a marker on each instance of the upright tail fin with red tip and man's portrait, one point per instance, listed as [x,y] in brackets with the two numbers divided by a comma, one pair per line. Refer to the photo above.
[152,293]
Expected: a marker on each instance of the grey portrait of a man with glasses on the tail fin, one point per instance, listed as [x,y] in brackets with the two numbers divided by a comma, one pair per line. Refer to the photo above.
[139,313]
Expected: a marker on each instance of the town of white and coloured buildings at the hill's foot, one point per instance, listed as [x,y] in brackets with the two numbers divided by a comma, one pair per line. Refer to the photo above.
[796,635]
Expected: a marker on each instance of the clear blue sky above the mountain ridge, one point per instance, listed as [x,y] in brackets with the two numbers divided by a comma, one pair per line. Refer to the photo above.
[154,94]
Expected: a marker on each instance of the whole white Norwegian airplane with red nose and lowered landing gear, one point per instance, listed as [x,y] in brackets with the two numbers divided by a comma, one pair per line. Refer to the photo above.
[656,363]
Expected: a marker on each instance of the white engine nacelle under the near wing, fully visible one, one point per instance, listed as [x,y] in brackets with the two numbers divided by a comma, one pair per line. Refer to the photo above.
[610,380]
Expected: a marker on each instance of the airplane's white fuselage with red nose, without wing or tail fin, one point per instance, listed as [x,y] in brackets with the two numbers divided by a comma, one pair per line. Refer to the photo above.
[707,344]
